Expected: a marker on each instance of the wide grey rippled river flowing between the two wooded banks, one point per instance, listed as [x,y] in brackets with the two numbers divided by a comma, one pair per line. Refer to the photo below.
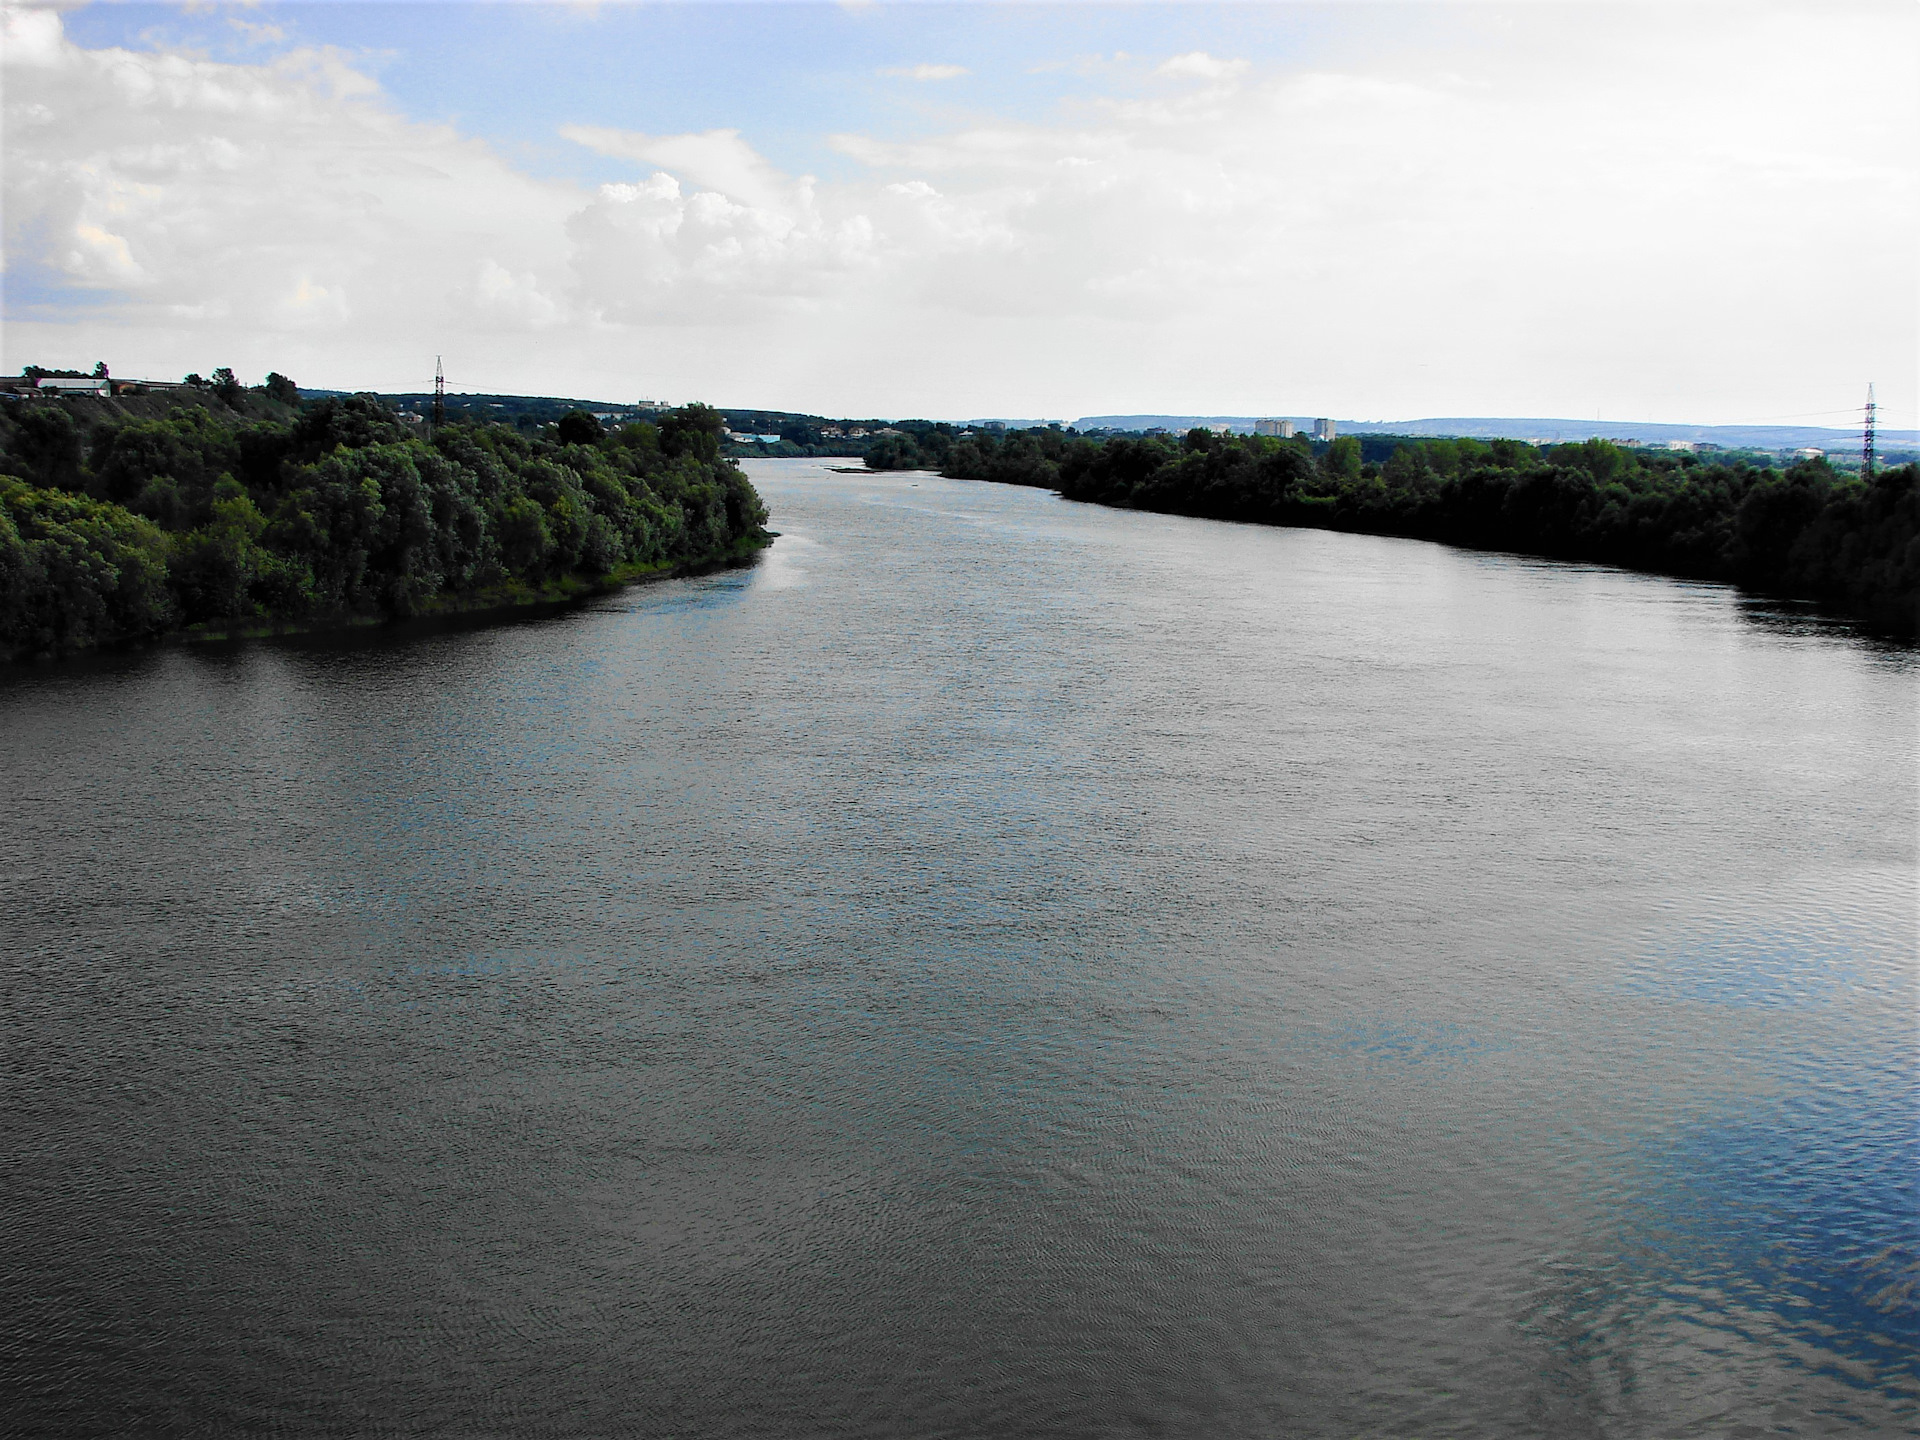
[994,967]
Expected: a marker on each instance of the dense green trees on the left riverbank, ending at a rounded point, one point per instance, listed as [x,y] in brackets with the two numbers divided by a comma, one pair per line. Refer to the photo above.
[254,512]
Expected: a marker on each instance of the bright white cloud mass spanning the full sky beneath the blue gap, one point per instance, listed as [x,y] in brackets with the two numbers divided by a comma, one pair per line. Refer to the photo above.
[1552,218]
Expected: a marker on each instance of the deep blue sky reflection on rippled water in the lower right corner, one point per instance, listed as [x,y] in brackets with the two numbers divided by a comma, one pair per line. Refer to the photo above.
[1756,1251]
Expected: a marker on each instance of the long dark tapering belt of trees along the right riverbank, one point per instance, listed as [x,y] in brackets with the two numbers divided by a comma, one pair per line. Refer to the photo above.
[1804,533]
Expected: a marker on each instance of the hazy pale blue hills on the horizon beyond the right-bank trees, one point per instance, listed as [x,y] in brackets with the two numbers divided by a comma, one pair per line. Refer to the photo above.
[1481,427]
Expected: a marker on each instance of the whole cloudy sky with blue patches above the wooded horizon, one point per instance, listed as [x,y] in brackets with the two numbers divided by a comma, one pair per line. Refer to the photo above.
[1625,212]
